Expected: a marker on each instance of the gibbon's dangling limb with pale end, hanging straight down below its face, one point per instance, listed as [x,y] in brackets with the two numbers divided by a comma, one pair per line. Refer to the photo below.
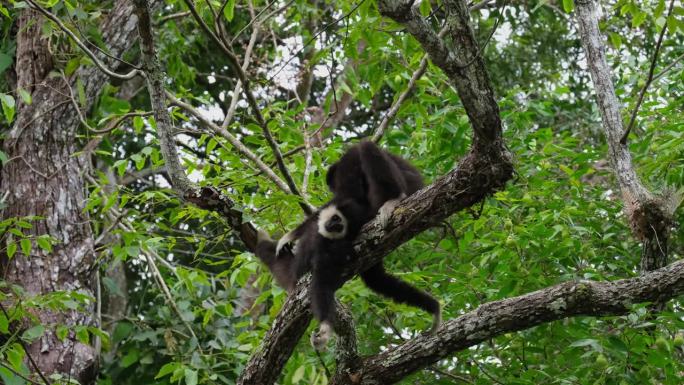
[323,308]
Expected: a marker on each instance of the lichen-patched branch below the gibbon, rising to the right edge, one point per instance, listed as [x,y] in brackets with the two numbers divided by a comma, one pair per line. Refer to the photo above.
[492,319]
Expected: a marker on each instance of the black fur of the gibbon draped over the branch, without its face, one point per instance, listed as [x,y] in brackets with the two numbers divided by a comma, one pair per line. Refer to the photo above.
[362,181]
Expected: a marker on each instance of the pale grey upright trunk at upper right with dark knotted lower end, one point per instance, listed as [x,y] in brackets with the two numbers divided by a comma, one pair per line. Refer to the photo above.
[650,216]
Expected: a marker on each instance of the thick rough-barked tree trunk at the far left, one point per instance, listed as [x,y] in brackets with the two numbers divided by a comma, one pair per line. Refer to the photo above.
[44,178]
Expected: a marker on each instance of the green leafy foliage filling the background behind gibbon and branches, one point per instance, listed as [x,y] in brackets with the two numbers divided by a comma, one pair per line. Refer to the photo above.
[198,320]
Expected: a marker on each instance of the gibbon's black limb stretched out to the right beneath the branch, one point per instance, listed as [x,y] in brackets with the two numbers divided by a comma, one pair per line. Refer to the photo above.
[378,280]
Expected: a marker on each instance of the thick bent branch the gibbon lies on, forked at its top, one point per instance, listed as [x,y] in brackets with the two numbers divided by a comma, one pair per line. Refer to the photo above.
[480,173]
